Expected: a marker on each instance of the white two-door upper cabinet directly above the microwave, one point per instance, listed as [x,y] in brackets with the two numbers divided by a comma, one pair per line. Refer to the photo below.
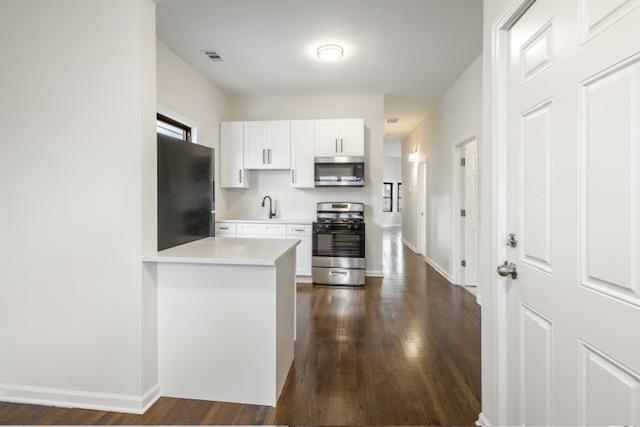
[341,137]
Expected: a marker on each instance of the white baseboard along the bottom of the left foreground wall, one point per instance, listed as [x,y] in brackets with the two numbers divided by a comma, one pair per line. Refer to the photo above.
[111,402]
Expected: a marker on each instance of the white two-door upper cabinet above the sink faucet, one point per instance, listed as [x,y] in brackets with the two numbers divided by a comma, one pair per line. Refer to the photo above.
[267,145]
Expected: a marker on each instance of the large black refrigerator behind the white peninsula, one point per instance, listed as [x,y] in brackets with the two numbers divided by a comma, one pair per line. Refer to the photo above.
[185,192]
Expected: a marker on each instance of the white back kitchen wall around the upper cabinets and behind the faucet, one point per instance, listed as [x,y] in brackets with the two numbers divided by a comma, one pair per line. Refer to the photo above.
[301,204]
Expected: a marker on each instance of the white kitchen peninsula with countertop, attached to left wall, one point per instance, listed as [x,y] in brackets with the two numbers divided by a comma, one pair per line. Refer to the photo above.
[226,318]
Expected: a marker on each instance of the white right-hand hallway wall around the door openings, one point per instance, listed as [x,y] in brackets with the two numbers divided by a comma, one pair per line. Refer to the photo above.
[456,117]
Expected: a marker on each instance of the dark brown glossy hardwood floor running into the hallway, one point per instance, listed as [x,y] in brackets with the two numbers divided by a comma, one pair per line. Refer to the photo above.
[403,350]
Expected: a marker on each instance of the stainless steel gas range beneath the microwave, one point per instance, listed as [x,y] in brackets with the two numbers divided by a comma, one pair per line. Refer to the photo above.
[338,244]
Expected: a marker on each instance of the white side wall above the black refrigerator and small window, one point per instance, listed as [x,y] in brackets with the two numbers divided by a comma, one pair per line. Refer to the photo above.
[186,92]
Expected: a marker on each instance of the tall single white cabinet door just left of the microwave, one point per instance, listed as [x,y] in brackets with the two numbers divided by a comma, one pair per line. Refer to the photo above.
[303,136]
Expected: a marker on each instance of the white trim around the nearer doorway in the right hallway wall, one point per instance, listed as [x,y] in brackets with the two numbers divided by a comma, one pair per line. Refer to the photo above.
[457,246]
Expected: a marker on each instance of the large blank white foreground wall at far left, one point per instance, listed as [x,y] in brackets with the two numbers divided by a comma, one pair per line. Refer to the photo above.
[77,162]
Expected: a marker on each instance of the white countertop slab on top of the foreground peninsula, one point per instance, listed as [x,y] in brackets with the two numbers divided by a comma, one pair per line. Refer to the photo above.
[226,251]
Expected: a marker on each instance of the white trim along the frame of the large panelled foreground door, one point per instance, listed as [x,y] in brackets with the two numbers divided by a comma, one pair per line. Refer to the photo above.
[495,313]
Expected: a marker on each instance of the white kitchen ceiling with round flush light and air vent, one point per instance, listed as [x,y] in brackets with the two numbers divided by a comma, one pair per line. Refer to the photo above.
[411,50]
